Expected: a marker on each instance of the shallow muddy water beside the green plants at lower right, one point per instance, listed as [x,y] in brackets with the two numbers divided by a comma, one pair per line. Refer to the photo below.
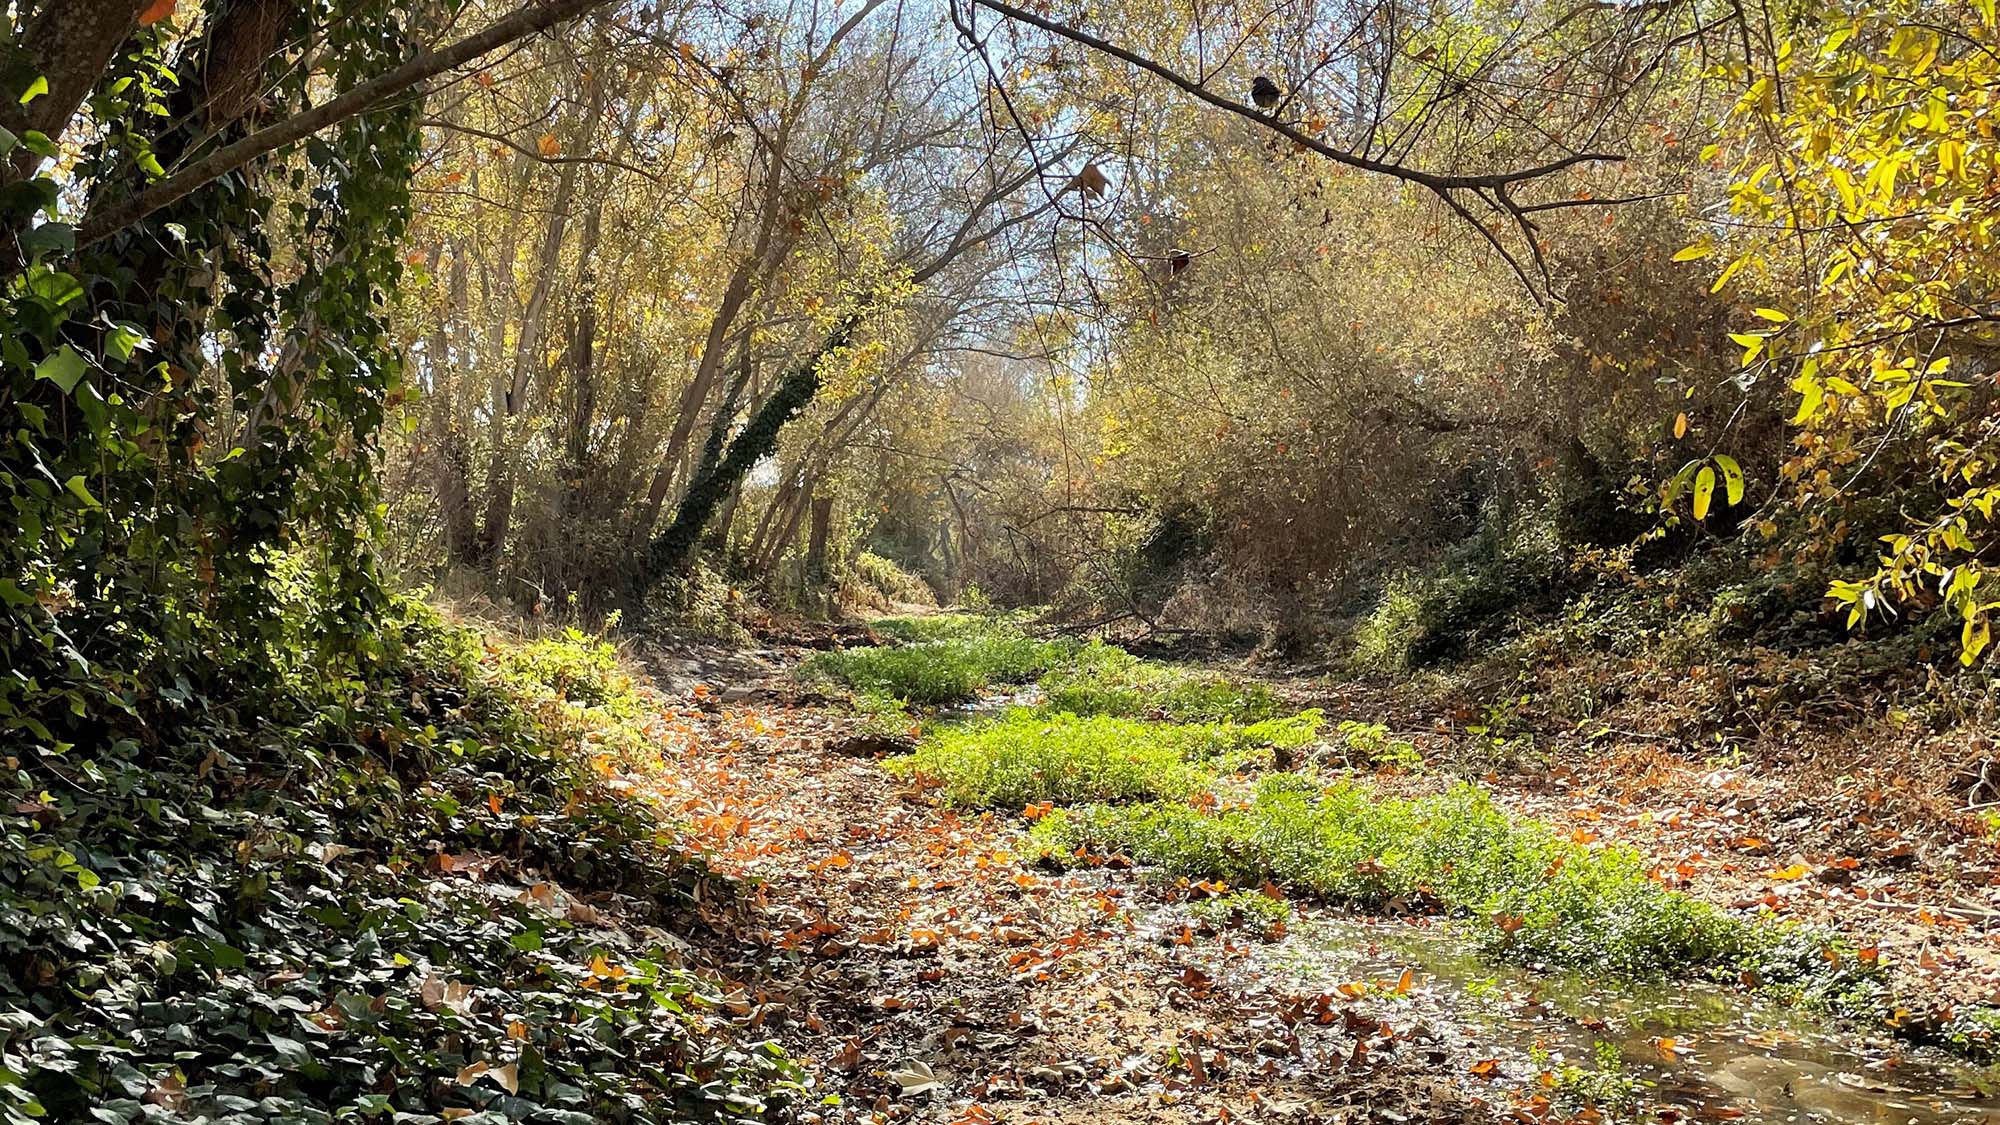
[1707,1054]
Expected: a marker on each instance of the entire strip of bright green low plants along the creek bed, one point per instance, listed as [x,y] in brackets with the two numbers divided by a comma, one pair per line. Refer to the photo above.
[1209,802]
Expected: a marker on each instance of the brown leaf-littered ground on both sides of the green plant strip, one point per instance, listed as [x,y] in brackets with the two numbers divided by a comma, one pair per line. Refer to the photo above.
[925,968]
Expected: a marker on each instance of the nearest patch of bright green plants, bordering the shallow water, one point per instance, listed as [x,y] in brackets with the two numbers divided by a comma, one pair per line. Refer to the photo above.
[1527,892]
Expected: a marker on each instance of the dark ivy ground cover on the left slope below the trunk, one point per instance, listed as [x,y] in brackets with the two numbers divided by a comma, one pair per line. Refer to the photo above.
[359,896]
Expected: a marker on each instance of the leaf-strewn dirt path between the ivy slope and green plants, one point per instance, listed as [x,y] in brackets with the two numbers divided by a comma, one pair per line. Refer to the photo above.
[925,972]
